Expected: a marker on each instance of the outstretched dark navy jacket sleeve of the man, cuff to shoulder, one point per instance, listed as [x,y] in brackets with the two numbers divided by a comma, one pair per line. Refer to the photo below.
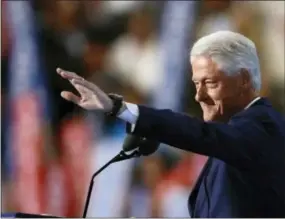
[237,143]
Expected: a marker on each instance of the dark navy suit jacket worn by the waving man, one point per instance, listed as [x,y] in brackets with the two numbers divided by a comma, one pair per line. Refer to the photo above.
[245,174]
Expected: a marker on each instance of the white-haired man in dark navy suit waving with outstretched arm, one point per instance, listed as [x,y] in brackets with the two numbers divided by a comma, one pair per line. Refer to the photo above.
[241,132]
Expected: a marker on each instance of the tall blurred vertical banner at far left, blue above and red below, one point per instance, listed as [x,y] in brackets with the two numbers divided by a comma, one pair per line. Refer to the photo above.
[28,109]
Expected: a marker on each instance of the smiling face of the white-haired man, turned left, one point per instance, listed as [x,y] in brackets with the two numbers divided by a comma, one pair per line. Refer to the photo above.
[218,94]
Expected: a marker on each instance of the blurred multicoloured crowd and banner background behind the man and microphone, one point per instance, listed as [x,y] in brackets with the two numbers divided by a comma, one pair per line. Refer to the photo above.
[135,48]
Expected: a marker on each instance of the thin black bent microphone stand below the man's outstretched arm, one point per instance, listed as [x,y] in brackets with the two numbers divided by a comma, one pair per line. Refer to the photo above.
[119,157]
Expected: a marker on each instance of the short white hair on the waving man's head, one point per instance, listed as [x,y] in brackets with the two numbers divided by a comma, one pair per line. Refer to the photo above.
[231,52]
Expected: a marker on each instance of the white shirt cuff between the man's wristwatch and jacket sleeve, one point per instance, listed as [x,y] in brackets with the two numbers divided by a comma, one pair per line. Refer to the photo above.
[130,114]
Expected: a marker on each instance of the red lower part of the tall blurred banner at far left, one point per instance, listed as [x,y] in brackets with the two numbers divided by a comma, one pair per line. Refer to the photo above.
[27,146]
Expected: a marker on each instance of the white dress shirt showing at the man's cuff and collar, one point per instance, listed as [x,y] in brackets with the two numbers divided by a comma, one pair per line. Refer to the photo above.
[131,113]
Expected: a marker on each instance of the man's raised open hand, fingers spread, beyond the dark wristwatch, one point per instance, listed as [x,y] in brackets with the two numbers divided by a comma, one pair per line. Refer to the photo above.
[91,97]
